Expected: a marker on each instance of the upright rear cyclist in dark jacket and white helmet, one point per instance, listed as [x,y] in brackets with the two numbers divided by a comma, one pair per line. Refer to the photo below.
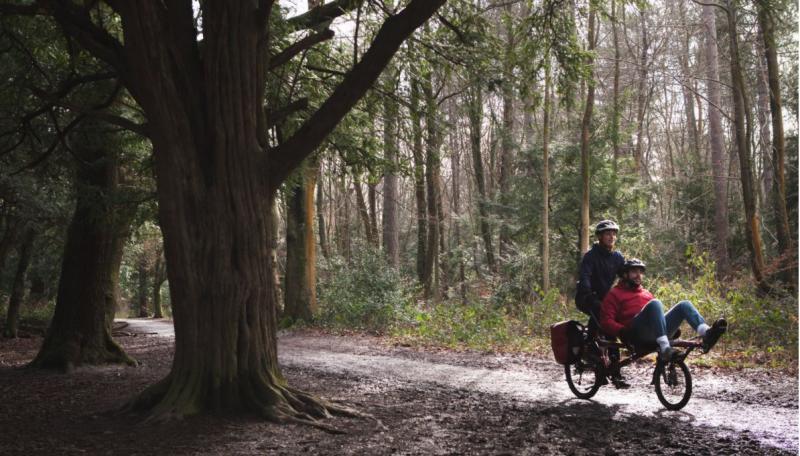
[596,276]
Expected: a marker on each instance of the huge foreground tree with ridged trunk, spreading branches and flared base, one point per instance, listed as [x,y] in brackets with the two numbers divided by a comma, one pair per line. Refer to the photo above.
[217,175]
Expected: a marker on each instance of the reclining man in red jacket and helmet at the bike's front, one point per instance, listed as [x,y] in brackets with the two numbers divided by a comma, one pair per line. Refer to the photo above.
[631,312]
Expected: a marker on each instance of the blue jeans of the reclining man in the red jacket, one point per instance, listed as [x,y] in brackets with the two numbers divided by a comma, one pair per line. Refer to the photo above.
[651,322]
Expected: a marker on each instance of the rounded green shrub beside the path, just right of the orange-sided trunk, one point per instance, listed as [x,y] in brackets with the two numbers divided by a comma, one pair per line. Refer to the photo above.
[364,293]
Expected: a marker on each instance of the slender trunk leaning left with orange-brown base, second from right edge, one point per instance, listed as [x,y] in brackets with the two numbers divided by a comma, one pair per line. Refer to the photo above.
[743,128]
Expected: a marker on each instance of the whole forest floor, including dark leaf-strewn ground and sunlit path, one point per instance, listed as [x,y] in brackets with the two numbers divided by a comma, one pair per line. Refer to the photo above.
[429,401]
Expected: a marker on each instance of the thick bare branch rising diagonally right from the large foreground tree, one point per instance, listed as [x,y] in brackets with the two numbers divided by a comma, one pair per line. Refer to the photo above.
[396,29]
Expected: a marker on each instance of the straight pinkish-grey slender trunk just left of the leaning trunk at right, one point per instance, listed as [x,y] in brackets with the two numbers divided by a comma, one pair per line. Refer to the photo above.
[715,142]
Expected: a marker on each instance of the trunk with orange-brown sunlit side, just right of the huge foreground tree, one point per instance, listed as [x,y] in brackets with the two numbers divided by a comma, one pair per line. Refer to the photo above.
[301,249]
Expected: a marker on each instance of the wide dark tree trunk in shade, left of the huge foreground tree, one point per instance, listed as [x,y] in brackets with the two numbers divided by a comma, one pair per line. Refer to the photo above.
[80,331]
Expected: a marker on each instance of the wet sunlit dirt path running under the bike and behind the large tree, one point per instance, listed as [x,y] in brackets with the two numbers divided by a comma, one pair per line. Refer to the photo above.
[726,408]
